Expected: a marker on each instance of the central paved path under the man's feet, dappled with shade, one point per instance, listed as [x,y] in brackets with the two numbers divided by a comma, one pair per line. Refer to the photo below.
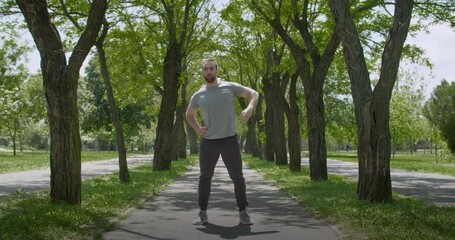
[169,215]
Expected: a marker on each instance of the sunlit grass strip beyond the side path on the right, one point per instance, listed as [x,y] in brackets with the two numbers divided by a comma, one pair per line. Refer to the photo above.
[418,162]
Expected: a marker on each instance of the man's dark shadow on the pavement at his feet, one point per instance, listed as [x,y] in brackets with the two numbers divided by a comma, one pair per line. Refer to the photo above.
[230,232]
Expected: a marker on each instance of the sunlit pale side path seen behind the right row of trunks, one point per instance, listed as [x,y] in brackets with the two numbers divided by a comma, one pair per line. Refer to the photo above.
[436,188]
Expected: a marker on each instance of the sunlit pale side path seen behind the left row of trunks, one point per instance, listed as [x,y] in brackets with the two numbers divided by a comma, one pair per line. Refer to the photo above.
[37,180]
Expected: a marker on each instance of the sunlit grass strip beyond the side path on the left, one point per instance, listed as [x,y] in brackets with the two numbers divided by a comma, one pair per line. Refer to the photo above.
[37,159]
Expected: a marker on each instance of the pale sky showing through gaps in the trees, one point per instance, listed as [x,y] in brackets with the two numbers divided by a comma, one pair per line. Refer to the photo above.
[438,42]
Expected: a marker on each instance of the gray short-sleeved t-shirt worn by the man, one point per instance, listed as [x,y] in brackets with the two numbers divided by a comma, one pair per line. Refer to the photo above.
[218,108]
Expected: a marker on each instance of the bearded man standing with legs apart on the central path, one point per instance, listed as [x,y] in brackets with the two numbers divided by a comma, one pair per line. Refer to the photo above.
[219,135]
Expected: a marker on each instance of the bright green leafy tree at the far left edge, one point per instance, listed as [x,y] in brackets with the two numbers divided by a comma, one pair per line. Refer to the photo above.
[19,109]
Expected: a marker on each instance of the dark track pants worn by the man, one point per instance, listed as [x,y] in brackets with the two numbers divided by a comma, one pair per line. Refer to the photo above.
[210,151]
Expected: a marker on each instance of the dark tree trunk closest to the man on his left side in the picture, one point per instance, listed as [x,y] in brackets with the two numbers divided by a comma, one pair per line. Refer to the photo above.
[163,154]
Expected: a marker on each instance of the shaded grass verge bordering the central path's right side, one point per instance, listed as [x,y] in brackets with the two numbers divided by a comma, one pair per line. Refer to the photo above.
[335,201]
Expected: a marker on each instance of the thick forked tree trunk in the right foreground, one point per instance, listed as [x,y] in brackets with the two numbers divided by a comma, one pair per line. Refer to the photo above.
[372,107]
